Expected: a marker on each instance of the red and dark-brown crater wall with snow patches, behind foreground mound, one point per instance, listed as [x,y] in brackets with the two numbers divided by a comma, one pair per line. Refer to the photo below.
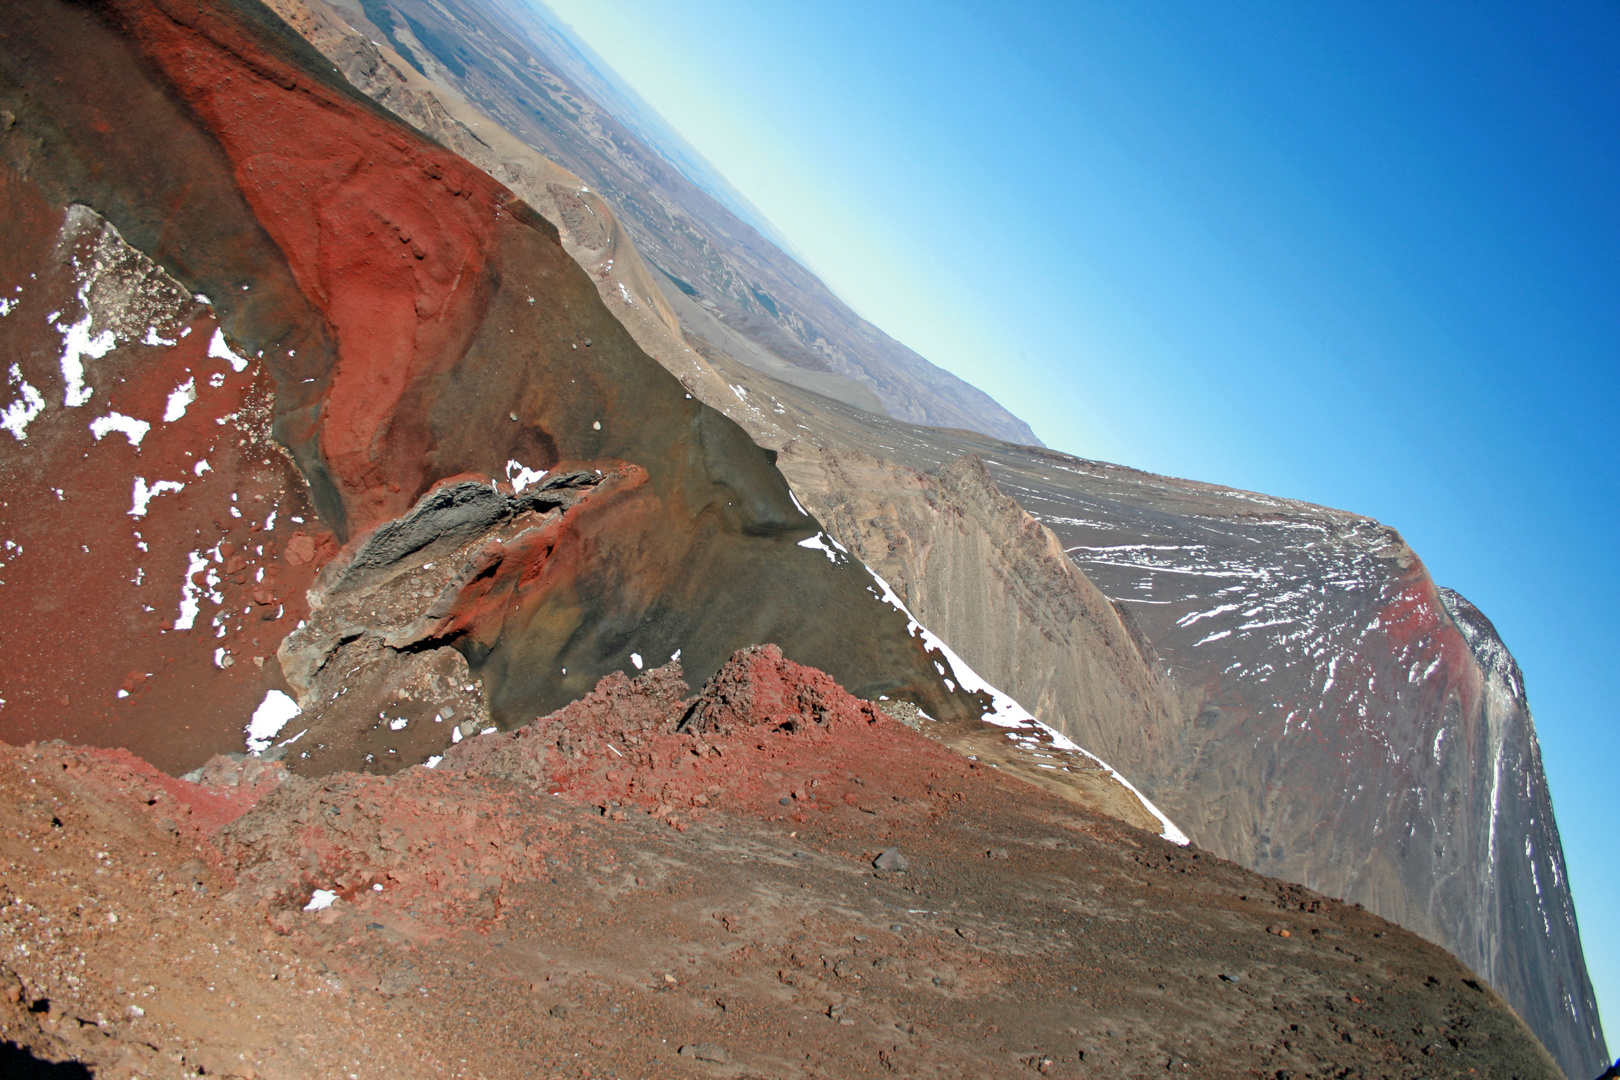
[299,333]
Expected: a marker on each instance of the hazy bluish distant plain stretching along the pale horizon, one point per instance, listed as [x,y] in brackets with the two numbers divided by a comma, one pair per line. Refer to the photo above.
[500,57]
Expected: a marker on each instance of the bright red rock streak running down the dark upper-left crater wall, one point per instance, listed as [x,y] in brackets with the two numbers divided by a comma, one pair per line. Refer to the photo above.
[390,236]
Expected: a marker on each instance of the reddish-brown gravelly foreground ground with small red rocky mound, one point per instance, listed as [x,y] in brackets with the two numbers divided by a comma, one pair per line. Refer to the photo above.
[603,896]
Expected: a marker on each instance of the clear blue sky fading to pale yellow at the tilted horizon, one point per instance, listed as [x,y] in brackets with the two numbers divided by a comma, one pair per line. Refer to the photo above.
[1354,253]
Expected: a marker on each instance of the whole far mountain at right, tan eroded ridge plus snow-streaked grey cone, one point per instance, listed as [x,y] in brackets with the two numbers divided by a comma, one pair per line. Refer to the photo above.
[1297,694]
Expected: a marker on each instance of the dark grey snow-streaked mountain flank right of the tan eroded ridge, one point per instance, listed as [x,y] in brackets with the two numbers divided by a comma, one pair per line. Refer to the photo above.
[1357,728]
